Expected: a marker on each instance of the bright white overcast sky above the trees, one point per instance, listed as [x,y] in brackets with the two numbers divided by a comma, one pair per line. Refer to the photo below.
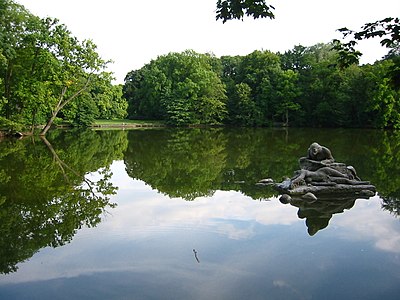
[133,32]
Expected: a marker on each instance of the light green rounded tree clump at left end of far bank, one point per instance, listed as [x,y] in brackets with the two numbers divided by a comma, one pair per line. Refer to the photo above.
[181,88]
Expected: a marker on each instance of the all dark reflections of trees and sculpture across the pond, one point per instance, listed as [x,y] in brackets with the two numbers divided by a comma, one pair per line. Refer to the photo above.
[46,194]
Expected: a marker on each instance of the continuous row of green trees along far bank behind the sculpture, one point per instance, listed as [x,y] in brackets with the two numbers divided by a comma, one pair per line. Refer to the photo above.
[305,86]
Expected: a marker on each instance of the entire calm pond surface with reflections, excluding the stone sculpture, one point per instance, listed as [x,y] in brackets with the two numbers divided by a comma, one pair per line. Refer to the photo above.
[176,214]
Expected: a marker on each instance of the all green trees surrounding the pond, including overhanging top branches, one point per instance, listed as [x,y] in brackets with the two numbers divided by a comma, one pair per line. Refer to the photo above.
[48,76]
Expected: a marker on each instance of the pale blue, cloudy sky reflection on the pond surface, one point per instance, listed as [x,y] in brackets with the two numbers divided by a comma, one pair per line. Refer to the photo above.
[246,248]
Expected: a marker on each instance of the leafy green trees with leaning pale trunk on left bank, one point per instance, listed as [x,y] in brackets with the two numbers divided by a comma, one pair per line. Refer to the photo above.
[48,76]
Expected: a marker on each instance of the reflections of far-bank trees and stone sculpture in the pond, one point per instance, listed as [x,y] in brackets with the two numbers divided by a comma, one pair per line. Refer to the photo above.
[191,163]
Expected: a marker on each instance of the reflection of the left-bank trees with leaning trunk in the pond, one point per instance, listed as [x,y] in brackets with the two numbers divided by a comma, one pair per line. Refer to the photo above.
[46,198]
